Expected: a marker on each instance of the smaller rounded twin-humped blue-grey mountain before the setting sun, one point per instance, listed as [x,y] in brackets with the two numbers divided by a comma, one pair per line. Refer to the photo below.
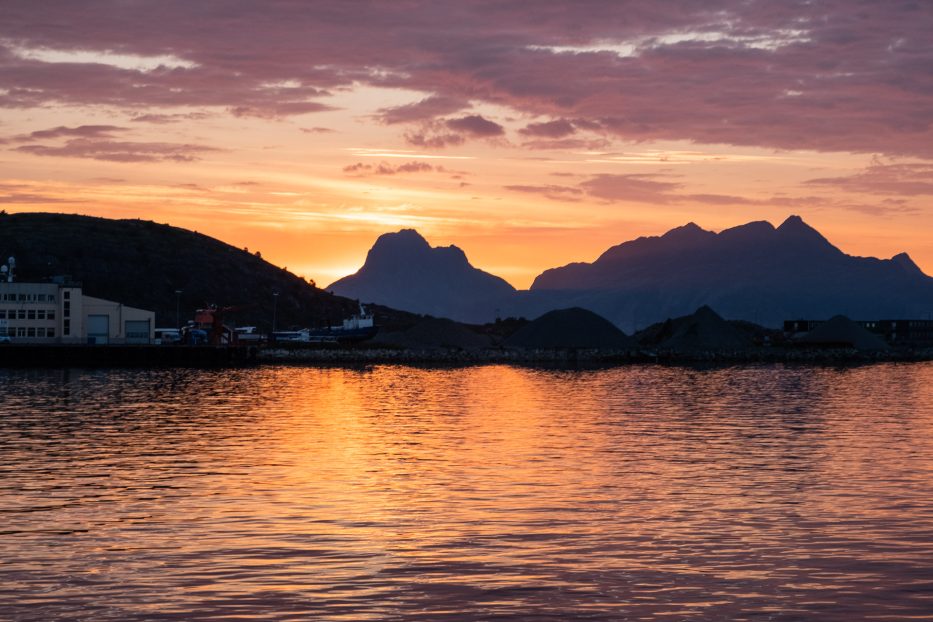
[403,271]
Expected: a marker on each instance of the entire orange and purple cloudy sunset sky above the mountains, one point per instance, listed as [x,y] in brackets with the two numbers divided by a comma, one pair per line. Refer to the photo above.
[529,133]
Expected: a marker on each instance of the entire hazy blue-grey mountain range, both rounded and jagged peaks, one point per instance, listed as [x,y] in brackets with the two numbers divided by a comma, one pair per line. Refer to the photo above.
[754,272]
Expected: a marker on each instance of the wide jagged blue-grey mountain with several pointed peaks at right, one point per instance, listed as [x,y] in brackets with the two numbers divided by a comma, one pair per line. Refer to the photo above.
[754,272]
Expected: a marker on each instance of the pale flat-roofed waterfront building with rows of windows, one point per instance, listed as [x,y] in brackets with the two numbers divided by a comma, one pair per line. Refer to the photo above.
[60,313]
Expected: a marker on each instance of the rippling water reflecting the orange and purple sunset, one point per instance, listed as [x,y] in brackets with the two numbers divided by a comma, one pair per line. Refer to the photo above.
[487,493]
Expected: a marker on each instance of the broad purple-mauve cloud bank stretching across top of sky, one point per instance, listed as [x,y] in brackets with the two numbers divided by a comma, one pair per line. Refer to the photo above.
[792,75]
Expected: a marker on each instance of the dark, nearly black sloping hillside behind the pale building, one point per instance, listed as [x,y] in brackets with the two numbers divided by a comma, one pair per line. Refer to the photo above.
[142,264]
